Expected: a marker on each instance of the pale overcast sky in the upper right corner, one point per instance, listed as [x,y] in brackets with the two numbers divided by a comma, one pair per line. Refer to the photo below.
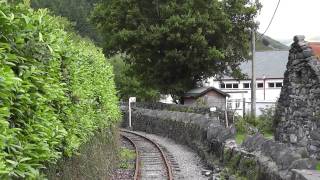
[292,18]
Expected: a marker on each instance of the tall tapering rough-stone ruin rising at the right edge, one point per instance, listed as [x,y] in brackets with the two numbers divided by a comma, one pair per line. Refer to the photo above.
[297,114]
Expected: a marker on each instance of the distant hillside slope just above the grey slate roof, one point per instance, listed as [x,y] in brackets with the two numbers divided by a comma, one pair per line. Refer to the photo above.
[267,44]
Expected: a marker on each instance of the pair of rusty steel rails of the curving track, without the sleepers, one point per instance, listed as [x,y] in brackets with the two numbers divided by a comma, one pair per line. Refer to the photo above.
[164,158]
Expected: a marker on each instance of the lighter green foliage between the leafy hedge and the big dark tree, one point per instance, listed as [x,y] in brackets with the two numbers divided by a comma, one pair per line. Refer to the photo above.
[128,85]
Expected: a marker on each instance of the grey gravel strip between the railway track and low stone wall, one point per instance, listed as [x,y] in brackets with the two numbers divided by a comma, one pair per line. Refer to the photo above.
[188,161]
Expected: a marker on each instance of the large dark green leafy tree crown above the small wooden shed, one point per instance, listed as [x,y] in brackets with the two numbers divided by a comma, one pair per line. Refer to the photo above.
[175,44]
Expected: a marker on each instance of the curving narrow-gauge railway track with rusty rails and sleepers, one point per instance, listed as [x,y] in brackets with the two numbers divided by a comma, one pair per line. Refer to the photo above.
[151,162]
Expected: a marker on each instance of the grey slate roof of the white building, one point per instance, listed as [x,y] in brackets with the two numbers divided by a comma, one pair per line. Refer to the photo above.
[269,64]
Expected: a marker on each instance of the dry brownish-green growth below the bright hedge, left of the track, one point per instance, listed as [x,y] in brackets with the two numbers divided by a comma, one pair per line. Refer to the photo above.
[97,158]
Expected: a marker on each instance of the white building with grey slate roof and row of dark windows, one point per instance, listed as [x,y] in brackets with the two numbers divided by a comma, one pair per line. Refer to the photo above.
[270,68]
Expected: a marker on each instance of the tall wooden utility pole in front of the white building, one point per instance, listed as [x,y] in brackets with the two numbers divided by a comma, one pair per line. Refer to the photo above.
[253,71]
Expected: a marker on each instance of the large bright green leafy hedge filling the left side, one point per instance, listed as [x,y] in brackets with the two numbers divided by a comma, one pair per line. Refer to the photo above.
[56,90]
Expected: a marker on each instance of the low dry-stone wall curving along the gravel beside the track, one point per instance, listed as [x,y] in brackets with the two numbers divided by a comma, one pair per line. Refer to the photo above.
[258,157]
